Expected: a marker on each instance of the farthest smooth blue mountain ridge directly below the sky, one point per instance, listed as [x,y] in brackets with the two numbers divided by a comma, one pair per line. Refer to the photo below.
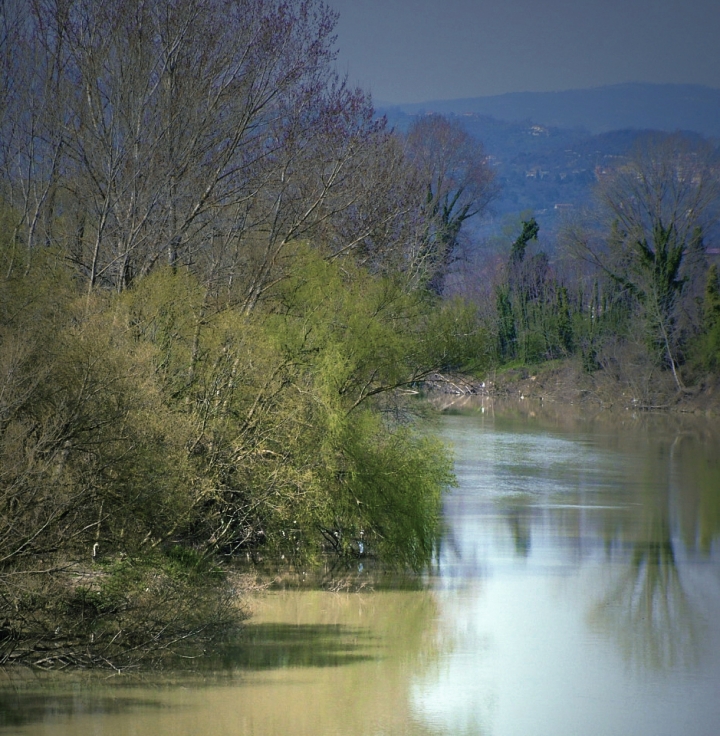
[667,107]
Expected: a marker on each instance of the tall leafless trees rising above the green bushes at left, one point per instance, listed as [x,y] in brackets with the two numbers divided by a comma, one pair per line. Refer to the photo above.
[209,135]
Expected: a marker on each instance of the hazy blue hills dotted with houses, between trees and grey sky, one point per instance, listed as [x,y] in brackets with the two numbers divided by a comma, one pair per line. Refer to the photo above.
[547,148]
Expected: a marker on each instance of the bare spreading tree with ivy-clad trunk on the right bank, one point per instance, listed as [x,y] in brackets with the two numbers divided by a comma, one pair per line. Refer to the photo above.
[656,208]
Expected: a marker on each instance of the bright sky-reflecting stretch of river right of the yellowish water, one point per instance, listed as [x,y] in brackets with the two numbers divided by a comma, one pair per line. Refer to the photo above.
[567,535]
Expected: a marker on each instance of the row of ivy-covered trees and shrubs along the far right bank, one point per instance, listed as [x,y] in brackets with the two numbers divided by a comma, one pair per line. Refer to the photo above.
[631,291]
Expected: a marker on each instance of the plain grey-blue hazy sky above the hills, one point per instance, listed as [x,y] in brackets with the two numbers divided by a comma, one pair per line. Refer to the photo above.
[417,50]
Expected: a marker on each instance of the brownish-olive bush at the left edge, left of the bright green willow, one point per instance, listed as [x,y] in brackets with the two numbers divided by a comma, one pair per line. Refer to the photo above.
[89,451]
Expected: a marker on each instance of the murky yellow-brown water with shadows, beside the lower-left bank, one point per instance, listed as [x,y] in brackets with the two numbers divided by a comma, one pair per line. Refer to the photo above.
[310,663]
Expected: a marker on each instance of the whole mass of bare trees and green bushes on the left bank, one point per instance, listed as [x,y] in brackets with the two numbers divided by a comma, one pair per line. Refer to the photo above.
[207,310]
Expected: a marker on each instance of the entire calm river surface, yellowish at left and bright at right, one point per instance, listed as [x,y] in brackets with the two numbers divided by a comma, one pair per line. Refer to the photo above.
[576,591]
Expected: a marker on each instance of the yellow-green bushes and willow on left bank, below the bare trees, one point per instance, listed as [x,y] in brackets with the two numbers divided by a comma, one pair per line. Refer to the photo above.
[144,435]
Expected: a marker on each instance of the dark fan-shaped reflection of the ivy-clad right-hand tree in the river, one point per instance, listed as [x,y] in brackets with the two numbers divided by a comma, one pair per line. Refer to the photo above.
[648,608]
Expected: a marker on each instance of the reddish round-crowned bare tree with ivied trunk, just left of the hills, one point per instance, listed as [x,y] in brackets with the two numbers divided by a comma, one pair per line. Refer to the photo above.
[459,185]
